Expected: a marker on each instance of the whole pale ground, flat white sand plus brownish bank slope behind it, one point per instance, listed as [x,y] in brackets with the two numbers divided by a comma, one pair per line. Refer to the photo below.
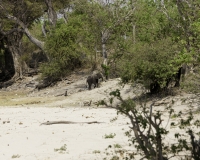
[102,135]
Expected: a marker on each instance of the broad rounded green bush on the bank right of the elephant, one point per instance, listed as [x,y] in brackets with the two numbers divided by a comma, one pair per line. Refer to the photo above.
[152,64]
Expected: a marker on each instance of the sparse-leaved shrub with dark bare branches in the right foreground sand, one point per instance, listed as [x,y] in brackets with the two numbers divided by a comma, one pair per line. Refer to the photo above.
[146,126]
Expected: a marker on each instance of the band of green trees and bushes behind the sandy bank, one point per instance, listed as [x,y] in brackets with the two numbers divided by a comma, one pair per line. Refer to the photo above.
[145,41]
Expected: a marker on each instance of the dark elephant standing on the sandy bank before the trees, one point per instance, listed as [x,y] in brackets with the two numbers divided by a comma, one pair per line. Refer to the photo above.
[94,79]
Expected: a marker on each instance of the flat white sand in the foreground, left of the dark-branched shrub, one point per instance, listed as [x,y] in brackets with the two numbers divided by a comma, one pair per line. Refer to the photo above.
[32,141]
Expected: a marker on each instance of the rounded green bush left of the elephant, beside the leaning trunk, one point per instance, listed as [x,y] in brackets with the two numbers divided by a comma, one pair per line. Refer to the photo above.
[63,50]
